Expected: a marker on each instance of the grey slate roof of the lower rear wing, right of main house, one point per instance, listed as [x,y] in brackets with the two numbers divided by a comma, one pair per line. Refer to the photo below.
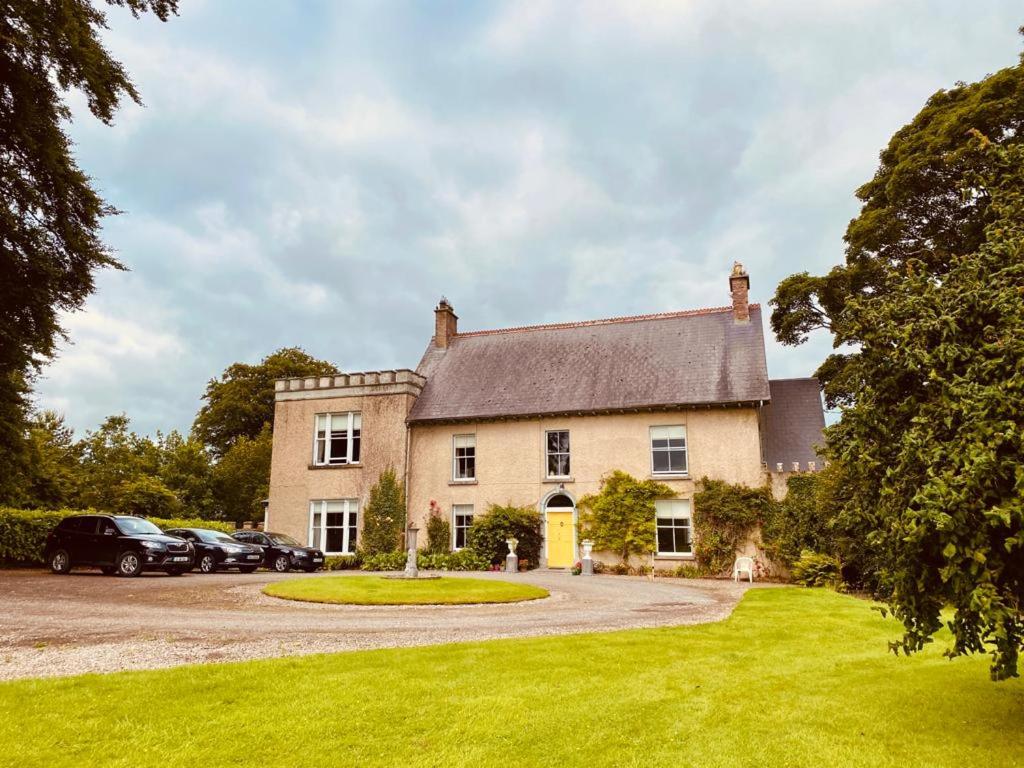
[792,424]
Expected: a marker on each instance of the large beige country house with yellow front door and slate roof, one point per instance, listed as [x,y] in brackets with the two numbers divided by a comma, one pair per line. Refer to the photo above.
[536,416]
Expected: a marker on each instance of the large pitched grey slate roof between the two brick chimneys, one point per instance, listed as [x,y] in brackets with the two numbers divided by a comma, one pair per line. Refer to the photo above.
[694,358]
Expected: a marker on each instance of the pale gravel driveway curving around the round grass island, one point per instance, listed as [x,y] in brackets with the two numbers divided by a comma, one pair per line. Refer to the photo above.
[54,626]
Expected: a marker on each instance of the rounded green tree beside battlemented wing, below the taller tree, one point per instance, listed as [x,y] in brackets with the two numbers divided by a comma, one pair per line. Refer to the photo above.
[242,478]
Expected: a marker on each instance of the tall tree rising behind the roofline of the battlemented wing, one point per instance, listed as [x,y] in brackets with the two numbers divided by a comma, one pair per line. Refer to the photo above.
[240,404]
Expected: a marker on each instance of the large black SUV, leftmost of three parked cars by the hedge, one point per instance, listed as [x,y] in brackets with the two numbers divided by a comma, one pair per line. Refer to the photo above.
[118,544]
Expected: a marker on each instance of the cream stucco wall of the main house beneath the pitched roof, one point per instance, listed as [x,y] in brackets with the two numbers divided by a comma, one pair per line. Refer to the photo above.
[723,444]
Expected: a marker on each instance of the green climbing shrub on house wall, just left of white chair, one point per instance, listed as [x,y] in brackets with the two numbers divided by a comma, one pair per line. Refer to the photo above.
[724,517]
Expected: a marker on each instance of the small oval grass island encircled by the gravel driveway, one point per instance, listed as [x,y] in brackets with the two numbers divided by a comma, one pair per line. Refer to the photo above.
[380,591]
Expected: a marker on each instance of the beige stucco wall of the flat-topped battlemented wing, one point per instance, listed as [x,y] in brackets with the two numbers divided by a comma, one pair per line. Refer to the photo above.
[294,484]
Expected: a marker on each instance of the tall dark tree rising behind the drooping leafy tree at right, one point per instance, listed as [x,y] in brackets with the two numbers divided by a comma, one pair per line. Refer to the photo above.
[924,205]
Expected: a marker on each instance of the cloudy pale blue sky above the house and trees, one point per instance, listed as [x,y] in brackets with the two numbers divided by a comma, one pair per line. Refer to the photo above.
[321,174]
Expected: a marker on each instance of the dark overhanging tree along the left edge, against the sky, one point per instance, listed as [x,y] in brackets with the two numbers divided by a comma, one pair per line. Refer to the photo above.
[50,223]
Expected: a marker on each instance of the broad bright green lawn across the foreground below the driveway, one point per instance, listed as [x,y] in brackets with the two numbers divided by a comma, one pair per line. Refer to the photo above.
[794,678]
